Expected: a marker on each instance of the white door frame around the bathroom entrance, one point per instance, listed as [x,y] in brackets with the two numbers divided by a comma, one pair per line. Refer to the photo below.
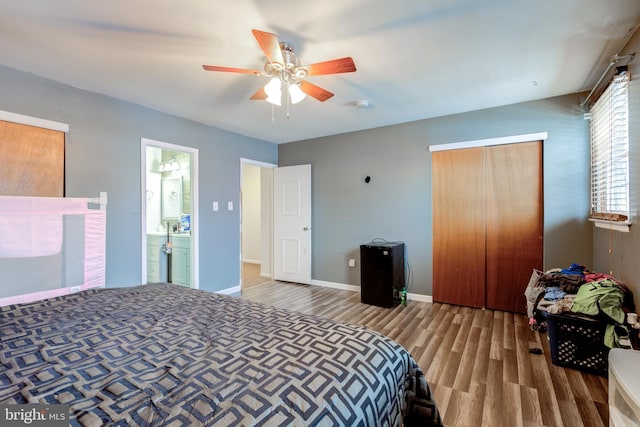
[195,194]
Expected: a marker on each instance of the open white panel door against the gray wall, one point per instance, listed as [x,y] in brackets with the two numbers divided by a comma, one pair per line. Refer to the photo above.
[292,224]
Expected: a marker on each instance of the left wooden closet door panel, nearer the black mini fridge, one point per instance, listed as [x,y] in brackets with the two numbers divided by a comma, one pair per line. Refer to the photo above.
[459,227]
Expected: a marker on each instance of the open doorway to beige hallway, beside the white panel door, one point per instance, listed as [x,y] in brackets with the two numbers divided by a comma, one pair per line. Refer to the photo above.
[256,194]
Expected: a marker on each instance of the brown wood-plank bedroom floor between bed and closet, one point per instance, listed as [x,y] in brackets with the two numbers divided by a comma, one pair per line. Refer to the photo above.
[477,362]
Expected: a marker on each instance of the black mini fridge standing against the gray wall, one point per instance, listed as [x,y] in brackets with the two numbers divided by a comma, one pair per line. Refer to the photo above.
[381,273]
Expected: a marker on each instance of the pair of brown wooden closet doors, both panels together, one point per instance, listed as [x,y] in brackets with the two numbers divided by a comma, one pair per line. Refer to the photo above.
[487,224]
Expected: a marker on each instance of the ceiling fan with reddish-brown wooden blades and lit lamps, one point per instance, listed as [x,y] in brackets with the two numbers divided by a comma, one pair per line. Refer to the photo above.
[285,70]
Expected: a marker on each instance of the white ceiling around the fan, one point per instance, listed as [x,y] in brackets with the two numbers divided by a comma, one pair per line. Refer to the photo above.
[416,59]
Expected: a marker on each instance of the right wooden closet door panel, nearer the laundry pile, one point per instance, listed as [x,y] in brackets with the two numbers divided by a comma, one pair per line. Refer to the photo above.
[514,222]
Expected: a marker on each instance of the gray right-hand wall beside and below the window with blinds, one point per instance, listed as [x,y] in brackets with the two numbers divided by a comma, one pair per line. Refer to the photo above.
[624,259]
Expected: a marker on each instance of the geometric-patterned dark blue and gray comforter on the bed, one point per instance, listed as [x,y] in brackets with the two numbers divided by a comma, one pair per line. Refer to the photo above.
[166,355]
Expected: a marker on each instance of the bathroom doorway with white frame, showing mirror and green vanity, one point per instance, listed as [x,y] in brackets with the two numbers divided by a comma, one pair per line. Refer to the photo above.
[169,208]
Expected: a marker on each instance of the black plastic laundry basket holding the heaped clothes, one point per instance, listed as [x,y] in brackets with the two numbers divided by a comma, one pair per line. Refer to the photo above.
[577,342]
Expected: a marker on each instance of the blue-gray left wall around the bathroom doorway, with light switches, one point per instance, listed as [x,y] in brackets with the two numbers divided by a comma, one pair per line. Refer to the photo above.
[103,154]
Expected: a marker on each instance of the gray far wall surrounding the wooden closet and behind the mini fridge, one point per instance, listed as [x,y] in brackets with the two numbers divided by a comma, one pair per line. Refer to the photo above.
[396,204]
